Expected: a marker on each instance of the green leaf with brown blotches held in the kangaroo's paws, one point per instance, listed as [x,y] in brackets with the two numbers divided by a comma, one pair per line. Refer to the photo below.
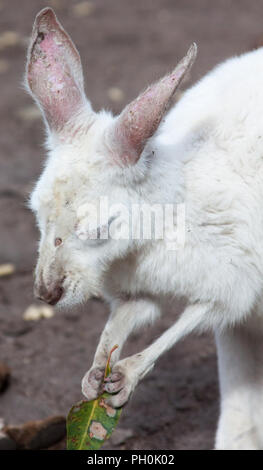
[90,423]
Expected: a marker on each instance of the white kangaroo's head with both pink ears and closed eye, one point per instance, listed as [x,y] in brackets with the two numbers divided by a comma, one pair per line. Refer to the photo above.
[92,157]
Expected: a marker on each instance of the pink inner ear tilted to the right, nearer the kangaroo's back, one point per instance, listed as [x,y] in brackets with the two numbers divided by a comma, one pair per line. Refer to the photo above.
[141,118]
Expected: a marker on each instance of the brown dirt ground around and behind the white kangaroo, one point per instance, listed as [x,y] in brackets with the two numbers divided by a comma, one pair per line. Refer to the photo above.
[125,45]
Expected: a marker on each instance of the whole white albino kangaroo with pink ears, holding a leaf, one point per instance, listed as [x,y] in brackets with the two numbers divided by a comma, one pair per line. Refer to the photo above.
[207,156]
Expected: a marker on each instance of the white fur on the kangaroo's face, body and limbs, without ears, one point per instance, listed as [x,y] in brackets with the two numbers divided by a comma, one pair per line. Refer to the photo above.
[208,154]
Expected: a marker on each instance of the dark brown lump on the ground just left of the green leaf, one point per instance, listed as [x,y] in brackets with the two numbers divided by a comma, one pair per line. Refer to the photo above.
[35,435]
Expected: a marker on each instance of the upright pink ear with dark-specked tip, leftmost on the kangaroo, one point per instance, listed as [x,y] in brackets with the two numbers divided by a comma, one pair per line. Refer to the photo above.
[54,72]
